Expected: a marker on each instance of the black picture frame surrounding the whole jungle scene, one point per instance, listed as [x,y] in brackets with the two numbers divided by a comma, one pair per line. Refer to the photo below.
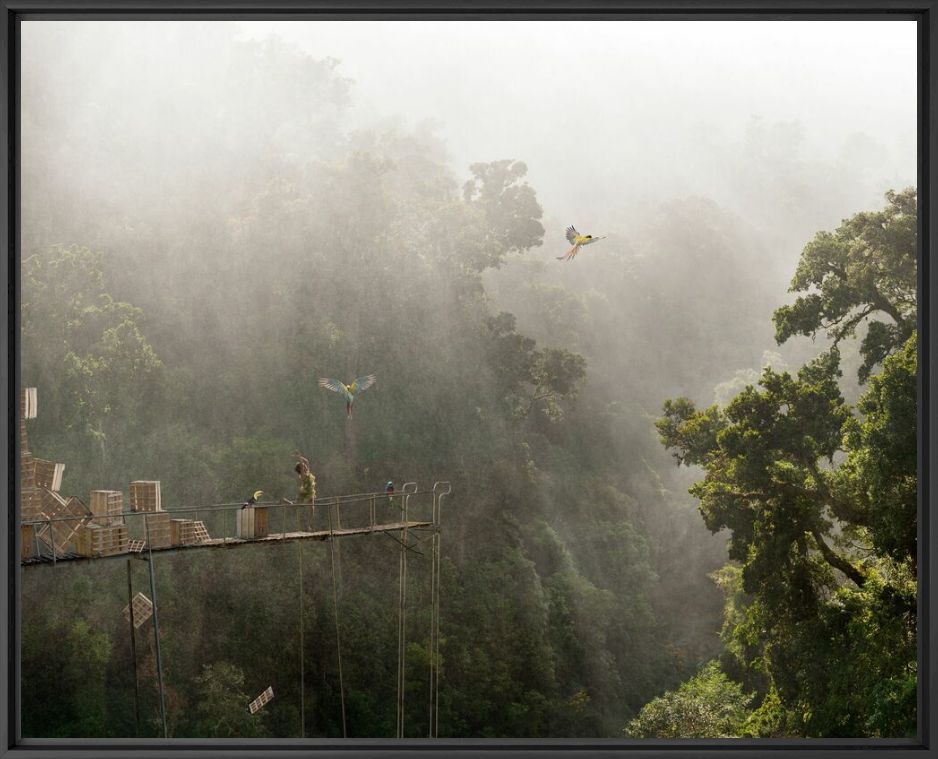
[924,12]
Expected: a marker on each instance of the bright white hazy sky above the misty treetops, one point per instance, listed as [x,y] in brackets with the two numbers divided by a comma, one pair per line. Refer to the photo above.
[619,100]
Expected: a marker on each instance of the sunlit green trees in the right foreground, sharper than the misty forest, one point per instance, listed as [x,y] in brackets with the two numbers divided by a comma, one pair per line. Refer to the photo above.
[820,496]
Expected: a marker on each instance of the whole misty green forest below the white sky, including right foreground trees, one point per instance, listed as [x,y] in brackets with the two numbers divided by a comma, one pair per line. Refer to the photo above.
[683,462]
